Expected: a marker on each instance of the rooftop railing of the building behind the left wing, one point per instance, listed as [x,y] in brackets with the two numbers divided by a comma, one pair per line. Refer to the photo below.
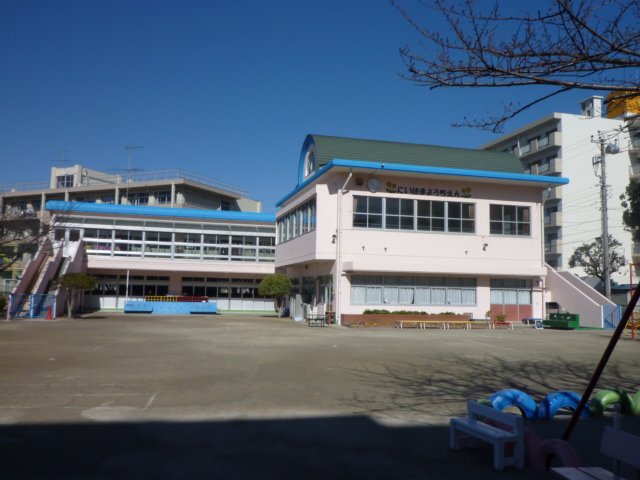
[132,177]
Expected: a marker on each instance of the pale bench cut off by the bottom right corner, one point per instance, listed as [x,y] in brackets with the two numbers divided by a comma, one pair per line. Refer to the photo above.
[621,446]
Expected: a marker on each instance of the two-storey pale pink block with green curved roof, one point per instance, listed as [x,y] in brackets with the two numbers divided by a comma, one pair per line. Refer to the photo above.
[384,225]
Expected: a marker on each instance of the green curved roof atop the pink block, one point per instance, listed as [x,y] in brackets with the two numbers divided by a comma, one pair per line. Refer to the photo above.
[330,148]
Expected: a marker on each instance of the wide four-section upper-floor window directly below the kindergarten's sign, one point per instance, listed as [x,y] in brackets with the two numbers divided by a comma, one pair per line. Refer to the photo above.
[413,215]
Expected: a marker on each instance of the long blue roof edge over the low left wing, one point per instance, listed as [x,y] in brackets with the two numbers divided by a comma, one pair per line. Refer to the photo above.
[109,208]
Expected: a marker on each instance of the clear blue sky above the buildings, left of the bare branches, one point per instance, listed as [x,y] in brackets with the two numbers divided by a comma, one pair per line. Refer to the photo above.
[224,89]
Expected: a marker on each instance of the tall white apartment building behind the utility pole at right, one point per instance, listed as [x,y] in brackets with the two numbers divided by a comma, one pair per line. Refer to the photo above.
[564,144]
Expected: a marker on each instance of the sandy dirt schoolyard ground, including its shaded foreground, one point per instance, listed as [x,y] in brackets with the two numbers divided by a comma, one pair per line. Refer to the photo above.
[160,397]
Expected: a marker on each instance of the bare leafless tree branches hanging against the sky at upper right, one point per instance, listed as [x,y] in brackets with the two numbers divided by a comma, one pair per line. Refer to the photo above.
[572,45]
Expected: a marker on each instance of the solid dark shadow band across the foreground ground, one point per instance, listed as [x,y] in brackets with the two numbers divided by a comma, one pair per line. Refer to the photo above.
[310,448]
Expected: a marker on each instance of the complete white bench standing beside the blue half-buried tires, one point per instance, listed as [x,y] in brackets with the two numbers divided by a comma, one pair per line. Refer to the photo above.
[472,427]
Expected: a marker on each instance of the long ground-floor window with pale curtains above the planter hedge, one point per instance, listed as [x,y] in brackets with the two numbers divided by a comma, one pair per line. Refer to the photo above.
[401,290]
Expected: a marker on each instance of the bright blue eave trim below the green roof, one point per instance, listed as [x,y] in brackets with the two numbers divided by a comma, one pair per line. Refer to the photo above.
[542,180]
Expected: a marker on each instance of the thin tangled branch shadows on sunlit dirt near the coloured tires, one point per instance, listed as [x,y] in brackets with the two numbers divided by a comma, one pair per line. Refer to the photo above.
[439,389]
